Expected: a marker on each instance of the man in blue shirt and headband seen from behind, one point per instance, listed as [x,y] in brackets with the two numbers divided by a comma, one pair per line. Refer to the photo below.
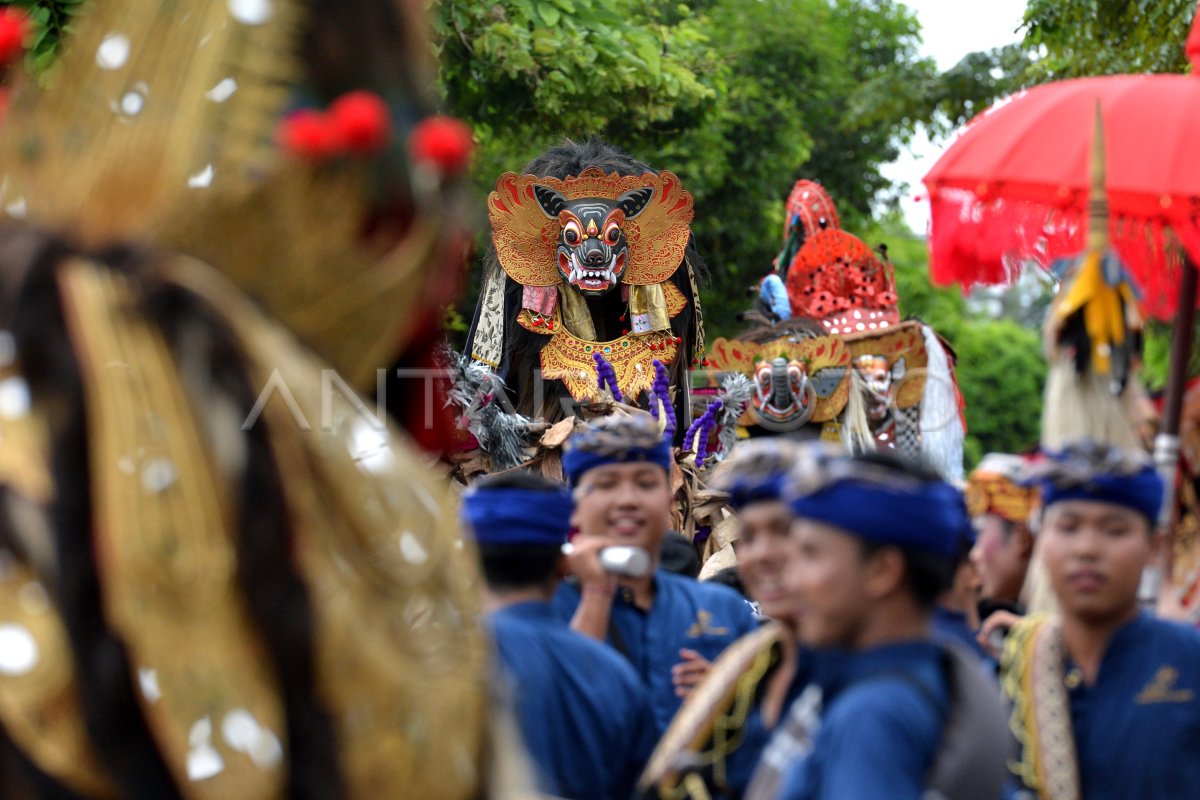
[583,711]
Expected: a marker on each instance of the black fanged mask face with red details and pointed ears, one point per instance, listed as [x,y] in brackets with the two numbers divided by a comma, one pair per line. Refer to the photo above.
[592,246]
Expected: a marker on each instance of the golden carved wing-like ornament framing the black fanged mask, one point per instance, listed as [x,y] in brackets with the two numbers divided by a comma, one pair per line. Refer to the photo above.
[526,239]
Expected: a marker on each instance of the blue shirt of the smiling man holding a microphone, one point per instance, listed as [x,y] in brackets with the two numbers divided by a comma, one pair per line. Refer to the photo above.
[686,615]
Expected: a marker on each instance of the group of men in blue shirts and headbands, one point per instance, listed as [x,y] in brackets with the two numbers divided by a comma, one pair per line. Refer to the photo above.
[857,665]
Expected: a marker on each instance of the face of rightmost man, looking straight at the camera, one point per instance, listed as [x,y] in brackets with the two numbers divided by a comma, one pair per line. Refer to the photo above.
[1095,554]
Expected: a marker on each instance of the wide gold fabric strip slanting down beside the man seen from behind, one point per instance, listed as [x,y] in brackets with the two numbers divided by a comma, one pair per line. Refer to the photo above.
[400,654]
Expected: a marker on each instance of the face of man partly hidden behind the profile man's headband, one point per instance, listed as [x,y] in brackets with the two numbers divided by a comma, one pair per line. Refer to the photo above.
[767,555]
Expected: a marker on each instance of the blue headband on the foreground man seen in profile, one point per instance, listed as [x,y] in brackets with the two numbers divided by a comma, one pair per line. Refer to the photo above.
[928,518]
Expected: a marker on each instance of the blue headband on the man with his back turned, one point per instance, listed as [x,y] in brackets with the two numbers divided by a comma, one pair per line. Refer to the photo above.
[513,516]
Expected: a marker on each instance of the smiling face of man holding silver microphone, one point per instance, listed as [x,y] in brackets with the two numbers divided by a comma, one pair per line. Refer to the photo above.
[629,504]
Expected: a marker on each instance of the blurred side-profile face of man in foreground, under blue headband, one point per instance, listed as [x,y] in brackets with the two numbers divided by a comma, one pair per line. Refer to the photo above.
[831,578]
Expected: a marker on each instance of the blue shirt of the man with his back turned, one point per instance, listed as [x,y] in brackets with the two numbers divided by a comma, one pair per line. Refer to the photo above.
[584,713]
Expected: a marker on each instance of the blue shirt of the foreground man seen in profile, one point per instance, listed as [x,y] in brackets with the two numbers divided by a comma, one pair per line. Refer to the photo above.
[880,730]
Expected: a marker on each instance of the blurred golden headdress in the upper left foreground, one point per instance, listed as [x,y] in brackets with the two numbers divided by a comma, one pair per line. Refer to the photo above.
[159,128]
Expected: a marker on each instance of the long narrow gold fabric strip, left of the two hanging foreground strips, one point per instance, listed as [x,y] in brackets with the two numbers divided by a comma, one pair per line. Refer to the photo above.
[164,538]
